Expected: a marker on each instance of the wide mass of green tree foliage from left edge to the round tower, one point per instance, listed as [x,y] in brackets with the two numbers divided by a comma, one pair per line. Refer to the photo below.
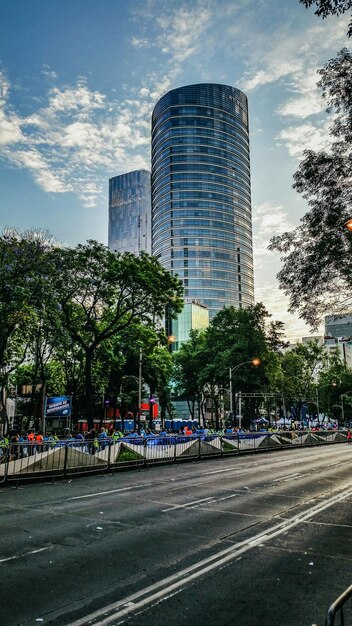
[79,314]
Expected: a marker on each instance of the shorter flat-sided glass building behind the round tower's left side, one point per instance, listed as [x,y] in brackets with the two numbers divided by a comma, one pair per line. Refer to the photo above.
[130,212]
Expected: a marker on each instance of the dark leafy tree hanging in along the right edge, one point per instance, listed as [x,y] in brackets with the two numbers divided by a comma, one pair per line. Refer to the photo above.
[316,255]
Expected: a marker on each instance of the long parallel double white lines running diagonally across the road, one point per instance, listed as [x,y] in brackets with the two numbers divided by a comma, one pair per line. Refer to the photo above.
[150,595]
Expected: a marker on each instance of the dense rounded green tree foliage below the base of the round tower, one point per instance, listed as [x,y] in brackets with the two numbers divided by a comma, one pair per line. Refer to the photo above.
[234,337]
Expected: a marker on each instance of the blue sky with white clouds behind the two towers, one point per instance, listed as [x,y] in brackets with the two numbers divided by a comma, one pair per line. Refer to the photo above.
[79,79]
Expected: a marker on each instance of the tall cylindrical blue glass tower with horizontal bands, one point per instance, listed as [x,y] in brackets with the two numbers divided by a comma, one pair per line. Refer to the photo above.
[201,198]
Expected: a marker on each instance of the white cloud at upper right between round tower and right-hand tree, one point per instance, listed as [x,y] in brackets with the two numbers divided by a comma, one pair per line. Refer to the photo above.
[292,61]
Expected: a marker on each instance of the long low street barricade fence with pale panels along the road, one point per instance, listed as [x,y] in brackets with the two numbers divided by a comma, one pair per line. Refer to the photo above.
[57,459]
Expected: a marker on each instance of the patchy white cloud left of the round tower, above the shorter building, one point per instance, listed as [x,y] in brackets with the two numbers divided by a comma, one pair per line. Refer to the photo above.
[77,137]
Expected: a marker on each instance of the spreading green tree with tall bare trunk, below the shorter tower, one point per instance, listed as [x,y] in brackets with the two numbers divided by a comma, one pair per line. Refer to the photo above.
[101,294]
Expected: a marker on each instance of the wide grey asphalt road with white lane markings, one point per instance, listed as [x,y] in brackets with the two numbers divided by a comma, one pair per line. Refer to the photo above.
[260,540]
